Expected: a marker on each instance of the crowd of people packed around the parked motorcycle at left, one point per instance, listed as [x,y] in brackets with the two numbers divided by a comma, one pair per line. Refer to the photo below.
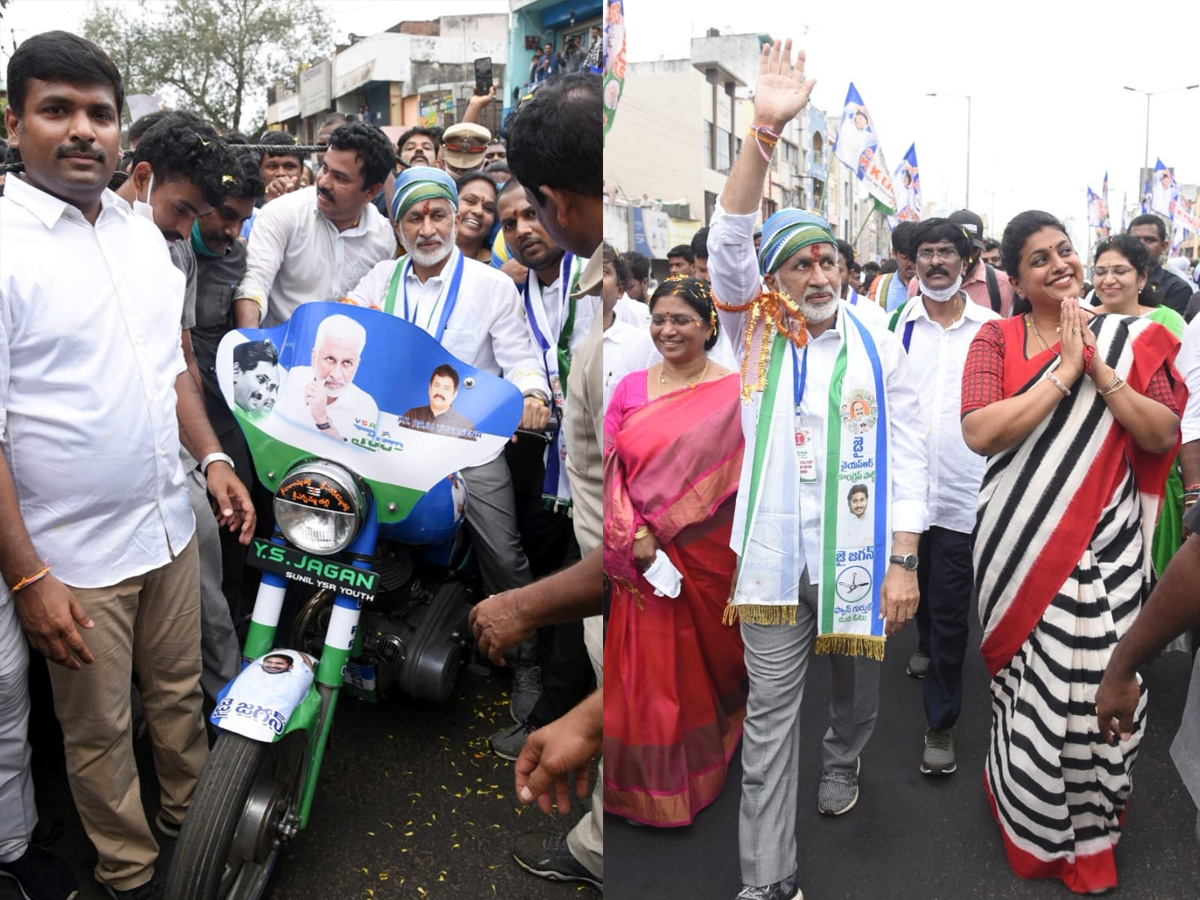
[129,494]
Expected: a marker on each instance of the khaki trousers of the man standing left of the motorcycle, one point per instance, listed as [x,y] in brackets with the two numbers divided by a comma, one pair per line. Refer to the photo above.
[149,626]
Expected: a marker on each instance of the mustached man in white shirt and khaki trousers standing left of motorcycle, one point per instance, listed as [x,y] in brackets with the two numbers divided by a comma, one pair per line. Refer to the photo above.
[94,401]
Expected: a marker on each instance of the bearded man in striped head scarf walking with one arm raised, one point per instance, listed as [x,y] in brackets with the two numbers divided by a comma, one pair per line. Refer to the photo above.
[829,415]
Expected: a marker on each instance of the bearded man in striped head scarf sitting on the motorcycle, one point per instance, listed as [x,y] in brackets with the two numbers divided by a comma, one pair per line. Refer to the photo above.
[473,311]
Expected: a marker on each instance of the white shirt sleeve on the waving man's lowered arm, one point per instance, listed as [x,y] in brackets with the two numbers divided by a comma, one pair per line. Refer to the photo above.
[910,445]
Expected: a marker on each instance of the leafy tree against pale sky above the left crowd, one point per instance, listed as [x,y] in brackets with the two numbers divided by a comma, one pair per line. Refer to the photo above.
[214,57]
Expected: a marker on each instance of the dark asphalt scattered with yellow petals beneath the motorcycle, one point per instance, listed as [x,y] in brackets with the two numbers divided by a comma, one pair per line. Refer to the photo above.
[411,805]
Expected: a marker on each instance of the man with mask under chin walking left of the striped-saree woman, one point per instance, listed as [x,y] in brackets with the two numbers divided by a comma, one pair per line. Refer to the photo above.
[938,328]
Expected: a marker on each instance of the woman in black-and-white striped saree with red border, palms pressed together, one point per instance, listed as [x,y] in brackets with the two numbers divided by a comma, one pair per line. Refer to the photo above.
[1079,418]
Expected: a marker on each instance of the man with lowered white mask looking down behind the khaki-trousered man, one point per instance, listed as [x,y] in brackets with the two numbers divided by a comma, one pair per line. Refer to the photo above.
[183,170]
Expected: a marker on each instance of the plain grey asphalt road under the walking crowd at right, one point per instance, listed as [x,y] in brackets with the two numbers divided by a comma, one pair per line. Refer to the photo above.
[913,837]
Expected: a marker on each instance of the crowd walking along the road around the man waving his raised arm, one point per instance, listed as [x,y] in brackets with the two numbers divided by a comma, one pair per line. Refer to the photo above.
[812,452]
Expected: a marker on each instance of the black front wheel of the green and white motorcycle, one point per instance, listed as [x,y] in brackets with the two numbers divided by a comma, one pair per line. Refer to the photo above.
[232,835]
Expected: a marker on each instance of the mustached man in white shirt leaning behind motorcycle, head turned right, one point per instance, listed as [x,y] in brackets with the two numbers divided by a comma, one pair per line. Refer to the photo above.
[316,244]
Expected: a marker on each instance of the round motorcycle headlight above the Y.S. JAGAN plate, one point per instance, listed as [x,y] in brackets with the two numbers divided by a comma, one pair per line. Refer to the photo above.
[320,507]
